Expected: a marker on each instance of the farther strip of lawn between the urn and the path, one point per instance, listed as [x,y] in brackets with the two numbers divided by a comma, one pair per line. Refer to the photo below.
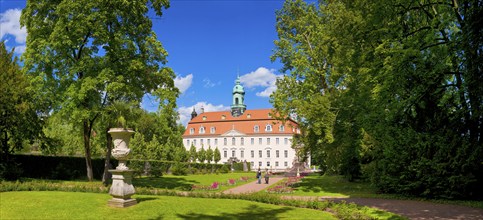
[185,182]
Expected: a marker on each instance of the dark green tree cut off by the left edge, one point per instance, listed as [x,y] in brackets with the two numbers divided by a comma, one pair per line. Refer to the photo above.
[19,120]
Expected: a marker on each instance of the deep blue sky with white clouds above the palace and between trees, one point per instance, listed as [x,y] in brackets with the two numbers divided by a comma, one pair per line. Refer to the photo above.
[209,44]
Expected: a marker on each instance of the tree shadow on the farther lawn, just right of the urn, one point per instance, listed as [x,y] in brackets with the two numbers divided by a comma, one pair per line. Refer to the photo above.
[179,183]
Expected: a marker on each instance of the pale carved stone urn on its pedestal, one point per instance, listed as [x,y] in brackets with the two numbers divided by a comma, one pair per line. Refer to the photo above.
[121,189]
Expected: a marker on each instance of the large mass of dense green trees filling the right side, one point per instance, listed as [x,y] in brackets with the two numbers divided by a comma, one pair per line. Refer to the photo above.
[387,91]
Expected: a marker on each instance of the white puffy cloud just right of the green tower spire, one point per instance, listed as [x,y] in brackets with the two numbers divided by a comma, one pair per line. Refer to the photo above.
[262,77]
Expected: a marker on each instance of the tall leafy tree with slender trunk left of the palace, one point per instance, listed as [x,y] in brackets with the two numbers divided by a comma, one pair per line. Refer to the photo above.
[86,55]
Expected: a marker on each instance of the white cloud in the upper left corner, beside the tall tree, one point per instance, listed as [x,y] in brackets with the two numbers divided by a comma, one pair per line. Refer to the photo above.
[10,24]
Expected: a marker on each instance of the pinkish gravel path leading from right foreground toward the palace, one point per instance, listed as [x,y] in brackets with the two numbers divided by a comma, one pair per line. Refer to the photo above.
[409,208]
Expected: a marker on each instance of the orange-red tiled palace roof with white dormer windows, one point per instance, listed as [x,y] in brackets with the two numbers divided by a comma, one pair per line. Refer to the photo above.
[223,122]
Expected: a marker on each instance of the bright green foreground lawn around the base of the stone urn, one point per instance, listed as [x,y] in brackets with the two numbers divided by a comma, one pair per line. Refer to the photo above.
[69,205]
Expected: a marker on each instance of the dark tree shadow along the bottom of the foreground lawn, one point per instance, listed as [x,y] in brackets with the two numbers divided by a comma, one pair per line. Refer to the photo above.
[251,212]
